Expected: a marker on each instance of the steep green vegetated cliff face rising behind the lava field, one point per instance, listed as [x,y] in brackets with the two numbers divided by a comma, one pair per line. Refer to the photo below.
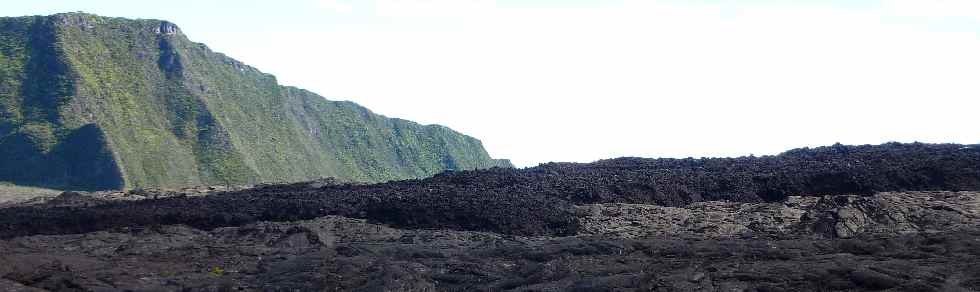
[90,102]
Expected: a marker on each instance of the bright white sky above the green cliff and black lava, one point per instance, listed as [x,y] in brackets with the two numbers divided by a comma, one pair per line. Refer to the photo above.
[580,80]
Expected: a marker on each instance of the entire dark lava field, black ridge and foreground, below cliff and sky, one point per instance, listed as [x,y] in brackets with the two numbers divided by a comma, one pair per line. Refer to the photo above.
[892,217]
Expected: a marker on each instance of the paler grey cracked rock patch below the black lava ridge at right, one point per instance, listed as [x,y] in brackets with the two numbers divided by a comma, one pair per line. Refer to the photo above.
[832,216]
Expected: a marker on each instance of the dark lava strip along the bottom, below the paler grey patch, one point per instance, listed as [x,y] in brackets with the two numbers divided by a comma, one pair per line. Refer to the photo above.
[337,253]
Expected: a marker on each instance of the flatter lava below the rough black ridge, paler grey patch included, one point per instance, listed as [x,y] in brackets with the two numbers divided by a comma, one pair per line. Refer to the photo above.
[899,241]
